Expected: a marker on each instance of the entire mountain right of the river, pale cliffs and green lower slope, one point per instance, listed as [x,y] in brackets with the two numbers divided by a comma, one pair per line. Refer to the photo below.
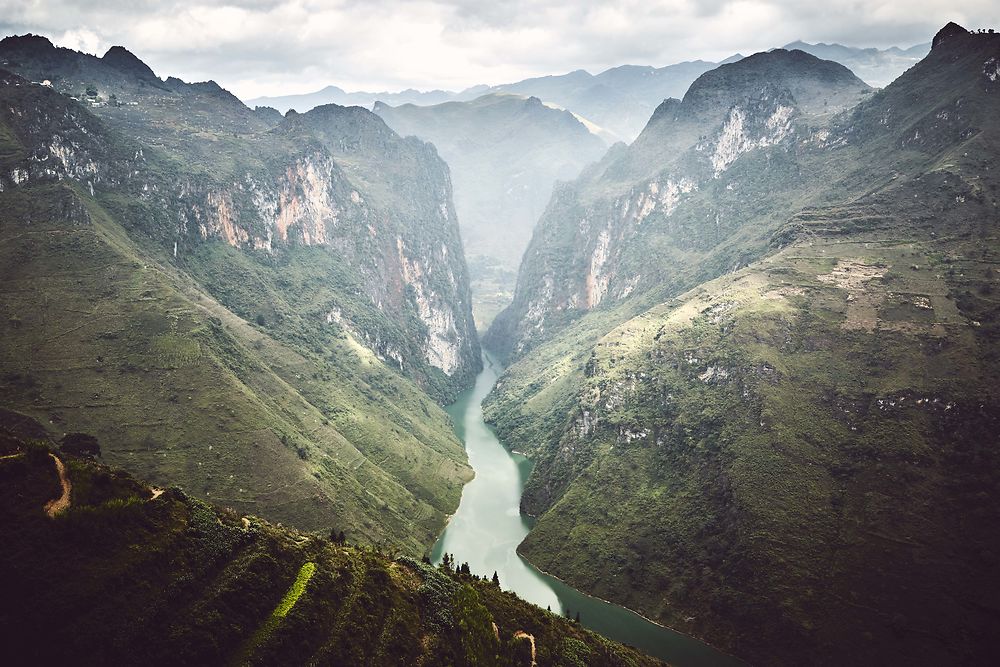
[783,436]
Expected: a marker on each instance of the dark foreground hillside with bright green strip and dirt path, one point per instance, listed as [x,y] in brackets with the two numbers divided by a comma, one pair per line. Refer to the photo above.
[126,574]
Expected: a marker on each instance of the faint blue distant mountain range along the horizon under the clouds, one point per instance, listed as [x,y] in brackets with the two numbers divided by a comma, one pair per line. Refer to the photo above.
[618,101]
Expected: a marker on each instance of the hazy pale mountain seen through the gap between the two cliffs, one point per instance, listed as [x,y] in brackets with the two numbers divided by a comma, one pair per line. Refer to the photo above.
[505,153]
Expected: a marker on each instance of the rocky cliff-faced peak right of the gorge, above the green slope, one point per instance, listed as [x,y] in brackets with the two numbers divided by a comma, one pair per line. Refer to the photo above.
[592,245]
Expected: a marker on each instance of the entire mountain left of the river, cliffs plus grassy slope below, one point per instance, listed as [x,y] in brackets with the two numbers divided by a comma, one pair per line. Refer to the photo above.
[261,318]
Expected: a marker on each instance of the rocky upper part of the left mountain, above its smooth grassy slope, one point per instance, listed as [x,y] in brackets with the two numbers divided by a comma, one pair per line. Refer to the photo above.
[185,167]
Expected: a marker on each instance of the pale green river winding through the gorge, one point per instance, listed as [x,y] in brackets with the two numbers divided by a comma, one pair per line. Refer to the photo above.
[488,526]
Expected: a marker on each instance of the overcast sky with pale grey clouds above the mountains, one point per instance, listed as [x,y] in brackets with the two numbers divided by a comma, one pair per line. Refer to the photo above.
[268,47]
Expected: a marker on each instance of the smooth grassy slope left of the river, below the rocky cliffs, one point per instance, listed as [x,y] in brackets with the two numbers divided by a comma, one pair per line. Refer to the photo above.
[101,338]
